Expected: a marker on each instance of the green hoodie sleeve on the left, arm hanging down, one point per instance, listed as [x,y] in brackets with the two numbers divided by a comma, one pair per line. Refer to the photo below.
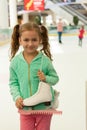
[14,85]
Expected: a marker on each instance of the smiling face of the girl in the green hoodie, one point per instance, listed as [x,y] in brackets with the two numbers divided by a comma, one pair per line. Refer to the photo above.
[30,41]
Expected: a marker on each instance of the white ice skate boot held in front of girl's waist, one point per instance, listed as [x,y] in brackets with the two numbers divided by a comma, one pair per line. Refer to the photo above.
[42,95]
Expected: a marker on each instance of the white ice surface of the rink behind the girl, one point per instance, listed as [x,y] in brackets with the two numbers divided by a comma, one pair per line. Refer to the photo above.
[70,61]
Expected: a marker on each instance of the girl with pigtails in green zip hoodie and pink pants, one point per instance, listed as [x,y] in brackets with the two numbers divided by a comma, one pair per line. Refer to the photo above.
[25,72]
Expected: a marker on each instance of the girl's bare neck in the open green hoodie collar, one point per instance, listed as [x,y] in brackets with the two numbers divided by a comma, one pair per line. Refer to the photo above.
[30,57]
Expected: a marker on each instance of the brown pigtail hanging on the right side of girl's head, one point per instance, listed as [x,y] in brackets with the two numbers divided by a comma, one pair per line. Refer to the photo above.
[45,43]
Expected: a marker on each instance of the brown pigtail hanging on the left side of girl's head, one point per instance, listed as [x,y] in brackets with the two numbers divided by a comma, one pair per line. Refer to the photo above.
[15,41]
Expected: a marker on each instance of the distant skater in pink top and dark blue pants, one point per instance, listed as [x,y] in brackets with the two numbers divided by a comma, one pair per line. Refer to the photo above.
[60,30]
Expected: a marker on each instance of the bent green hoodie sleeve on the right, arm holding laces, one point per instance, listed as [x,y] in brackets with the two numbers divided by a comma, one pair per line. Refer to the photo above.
[51,76]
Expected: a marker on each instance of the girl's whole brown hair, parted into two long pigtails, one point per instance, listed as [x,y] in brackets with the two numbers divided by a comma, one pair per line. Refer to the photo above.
[42,32]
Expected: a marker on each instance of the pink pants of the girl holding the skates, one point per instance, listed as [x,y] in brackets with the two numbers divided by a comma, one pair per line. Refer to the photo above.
[35,122]
